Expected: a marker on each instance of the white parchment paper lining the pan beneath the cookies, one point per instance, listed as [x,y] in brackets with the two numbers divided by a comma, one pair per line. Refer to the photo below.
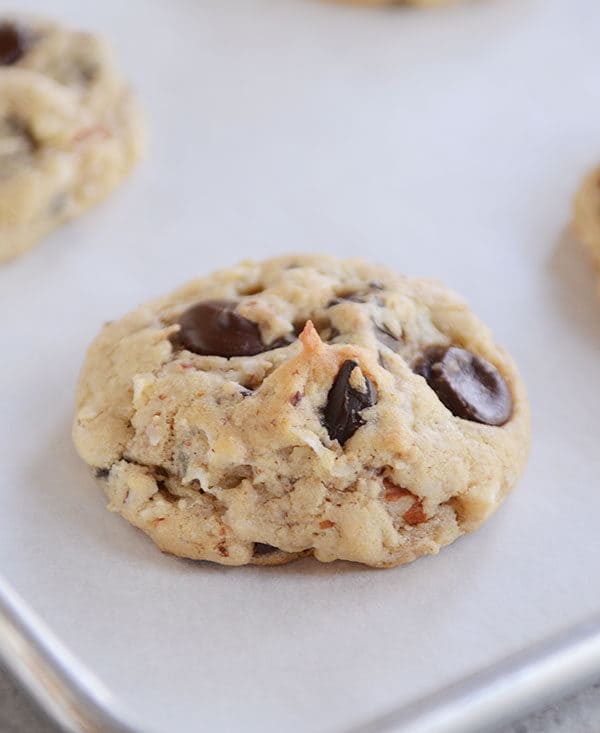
[444,143]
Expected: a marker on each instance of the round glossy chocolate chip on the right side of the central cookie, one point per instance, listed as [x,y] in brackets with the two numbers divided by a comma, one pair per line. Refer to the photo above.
[468,385]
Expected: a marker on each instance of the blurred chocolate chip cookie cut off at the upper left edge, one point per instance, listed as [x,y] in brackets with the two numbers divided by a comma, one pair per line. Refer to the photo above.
[70,129]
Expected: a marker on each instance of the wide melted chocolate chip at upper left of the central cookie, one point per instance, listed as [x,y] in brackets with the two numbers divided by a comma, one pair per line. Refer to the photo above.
[214,328]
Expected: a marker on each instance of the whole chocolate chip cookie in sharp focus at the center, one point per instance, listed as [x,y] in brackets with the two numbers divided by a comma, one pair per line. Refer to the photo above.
[302,405]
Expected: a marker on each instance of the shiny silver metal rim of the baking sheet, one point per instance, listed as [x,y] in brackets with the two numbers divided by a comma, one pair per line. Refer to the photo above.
[75,699]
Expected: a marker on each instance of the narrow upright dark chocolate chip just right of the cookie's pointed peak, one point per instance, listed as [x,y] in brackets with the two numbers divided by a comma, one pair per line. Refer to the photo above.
[344,404]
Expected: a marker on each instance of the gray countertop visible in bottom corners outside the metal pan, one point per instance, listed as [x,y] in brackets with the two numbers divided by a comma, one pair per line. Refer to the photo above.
[579,713]
